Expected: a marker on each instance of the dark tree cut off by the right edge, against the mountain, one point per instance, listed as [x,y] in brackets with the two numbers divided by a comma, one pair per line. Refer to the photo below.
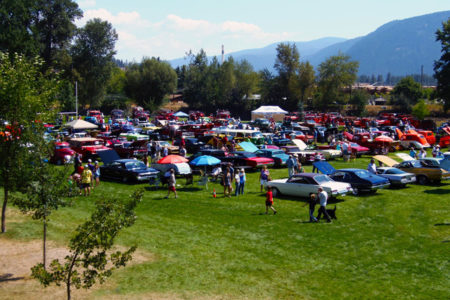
[442,66]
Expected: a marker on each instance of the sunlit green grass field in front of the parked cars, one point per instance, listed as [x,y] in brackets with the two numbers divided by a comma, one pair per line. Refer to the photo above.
[393,244]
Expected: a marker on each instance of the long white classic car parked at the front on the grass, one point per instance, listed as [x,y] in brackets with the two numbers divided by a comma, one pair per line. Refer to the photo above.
[305,184]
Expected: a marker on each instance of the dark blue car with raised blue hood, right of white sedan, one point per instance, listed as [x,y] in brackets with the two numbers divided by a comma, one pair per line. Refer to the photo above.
[361,180]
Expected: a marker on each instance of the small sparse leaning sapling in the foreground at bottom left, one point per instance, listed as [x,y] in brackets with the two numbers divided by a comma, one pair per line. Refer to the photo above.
[88,260]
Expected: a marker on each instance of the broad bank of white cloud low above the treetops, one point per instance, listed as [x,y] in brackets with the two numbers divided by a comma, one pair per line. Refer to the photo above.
[173,36]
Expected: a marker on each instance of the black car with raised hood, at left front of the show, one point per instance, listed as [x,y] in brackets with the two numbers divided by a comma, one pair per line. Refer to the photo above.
[125,170]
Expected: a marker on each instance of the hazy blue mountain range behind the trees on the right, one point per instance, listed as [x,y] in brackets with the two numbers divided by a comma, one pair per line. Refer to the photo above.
[400,47]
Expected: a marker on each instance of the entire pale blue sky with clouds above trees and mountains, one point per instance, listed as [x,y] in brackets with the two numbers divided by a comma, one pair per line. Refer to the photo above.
[170,28]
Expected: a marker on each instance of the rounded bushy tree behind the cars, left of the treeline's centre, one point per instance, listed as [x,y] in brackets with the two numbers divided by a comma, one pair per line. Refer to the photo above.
[148,82]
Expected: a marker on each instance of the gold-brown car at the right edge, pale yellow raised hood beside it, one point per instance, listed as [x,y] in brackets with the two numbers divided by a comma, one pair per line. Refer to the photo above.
[424,173]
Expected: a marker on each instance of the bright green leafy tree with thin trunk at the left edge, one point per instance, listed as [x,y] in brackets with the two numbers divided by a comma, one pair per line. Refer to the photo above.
[27,96]
